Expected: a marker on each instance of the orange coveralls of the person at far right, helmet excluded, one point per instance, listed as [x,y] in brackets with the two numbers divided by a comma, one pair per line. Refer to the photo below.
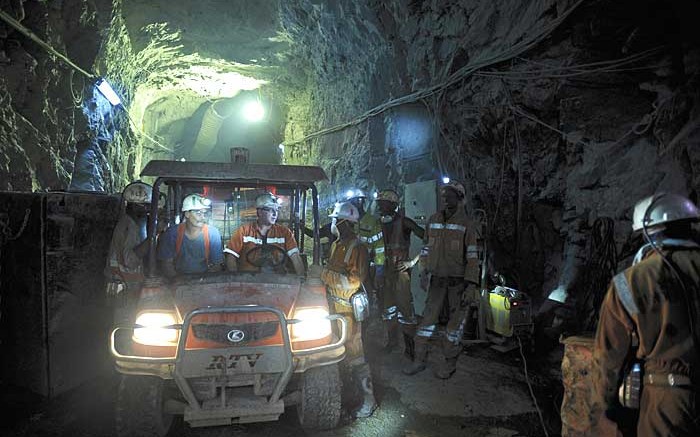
[659,317]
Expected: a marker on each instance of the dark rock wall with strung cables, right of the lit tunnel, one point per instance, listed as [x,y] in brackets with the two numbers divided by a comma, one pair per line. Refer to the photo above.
[554,113]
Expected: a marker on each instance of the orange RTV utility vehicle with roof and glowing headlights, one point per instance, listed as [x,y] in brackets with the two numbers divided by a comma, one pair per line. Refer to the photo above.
[222,346]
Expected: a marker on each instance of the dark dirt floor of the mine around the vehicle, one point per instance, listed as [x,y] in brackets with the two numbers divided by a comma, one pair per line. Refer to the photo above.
[487,396]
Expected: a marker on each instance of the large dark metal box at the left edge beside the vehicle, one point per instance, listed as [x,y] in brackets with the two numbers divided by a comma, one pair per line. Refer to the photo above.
[54,315]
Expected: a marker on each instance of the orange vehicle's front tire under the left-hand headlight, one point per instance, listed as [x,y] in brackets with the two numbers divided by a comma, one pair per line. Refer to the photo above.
[140,412]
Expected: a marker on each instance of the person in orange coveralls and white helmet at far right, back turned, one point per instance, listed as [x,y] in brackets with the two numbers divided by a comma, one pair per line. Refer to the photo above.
[649,318]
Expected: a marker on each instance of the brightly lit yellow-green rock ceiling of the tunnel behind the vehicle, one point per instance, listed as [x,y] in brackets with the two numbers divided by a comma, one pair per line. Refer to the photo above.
[178,60]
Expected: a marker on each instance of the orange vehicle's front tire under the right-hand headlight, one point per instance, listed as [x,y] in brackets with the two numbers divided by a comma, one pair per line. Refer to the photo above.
[319,407]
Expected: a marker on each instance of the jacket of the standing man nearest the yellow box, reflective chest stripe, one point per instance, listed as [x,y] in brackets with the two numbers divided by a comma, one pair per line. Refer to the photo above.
[451,247]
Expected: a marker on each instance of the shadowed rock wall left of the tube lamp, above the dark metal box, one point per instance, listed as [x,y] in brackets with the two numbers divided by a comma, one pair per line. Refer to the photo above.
[41,122]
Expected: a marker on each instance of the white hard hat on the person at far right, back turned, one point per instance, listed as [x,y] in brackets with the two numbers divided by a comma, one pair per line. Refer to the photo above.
[661,209]
